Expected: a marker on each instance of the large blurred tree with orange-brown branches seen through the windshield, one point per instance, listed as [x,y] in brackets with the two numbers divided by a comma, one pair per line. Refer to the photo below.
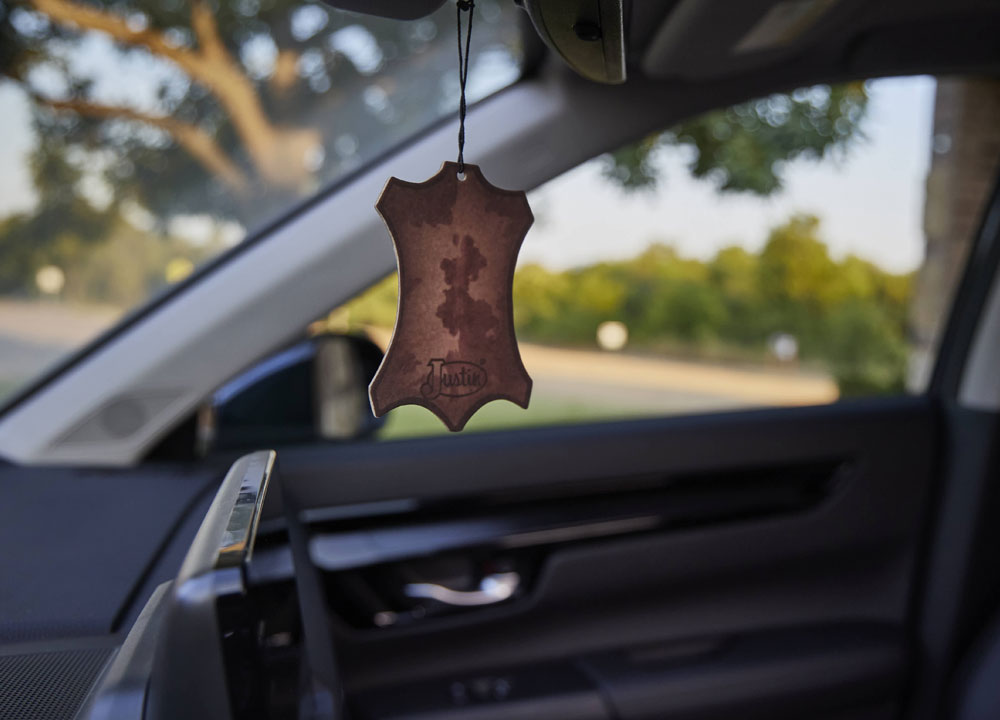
[235,110]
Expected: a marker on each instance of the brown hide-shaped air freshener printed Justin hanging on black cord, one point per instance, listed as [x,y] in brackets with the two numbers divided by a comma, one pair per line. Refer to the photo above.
[453,348]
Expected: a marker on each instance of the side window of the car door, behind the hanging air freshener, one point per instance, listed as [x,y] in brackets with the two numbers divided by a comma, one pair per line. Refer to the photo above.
[792,250]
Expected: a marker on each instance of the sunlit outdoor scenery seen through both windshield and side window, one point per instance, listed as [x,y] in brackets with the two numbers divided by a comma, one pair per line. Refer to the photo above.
[767,254]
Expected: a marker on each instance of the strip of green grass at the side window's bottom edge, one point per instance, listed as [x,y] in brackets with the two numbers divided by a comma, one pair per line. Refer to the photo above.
[413,421]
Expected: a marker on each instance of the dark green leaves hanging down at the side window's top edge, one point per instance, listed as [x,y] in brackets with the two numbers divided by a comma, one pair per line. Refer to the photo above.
[744,147]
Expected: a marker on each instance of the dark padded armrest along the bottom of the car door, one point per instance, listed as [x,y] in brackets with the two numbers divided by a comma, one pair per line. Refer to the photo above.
[769,674]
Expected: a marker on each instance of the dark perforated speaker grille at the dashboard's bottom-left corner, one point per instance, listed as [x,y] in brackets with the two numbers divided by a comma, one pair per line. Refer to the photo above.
[48,685]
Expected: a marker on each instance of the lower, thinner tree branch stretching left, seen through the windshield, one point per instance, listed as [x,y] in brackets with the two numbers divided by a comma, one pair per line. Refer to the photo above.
[198,143]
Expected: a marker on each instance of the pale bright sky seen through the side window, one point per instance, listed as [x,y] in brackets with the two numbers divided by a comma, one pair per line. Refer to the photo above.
[870,203]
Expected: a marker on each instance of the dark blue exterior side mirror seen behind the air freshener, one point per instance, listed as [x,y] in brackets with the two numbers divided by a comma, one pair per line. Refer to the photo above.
[313,391]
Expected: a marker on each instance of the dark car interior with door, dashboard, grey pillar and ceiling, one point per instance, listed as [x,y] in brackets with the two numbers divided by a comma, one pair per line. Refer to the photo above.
[832,562]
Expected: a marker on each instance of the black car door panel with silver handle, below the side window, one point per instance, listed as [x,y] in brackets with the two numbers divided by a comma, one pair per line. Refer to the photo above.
[784,542]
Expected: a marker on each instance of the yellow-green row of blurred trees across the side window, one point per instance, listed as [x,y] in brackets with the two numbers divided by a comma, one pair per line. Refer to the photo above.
[848,316]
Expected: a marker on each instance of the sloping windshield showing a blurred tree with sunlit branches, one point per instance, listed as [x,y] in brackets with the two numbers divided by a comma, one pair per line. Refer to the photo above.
[140,138]
